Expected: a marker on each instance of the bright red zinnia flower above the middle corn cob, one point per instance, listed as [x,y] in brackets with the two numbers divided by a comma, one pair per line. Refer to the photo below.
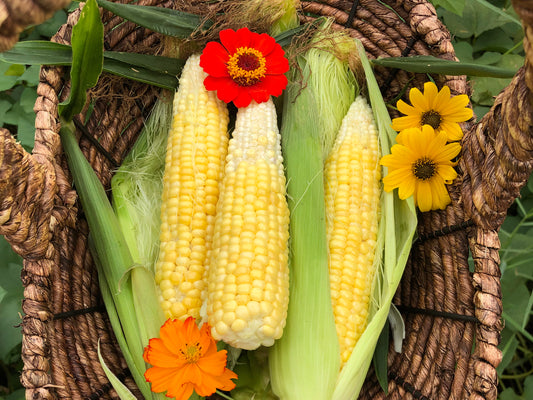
[245,66]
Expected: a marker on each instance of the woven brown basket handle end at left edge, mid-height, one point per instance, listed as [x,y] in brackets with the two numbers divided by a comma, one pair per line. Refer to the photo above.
[26,199]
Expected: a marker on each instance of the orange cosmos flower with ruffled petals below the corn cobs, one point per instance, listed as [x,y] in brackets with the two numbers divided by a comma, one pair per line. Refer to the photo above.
[184,359]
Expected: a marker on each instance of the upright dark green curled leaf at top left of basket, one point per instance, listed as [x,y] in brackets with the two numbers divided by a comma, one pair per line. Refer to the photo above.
[87,58]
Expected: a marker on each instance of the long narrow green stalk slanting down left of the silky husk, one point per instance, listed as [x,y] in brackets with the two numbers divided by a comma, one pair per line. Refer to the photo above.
[110,246]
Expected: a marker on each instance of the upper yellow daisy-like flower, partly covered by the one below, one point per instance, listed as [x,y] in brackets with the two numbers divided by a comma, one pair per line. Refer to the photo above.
[435,108]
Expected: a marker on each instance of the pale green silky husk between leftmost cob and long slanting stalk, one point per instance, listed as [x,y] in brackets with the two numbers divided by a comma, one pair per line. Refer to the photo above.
[136,195]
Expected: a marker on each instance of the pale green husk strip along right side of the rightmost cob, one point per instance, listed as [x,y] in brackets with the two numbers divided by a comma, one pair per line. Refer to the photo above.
[396,230]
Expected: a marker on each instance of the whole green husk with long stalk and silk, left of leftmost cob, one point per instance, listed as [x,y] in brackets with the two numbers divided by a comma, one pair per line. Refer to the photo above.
[124,238]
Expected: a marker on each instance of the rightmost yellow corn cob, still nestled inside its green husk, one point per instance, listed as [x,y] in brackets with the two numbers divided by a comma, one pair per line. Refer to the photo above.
[352,177]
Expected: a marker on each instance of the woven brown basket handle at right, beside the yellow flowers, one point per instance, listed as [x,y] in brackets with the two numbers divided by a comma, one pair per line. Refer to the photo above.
[498,156]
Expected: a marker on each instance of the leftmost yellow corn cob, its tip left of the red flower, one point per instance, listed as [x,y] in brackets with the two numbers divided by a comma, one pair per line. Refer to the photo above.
[196,150]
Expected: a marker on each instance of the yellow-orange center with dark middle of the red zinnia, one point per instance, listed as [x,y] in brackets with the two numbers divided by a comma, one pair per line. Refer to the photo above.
[247,66]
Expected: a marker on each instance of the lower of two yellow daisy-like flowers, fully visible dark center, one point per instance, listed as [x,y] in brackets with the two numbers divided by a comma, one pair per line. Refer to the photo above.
[421,166]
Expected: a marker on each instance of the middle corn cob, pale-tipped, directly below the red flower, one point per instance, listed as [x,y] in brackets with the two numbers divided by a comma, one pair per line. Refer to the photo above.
[248,283]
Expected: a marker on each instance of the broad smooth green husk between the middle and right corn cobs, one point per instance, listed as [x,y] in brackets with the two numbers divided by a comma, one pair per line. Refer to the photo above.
[304,363]
